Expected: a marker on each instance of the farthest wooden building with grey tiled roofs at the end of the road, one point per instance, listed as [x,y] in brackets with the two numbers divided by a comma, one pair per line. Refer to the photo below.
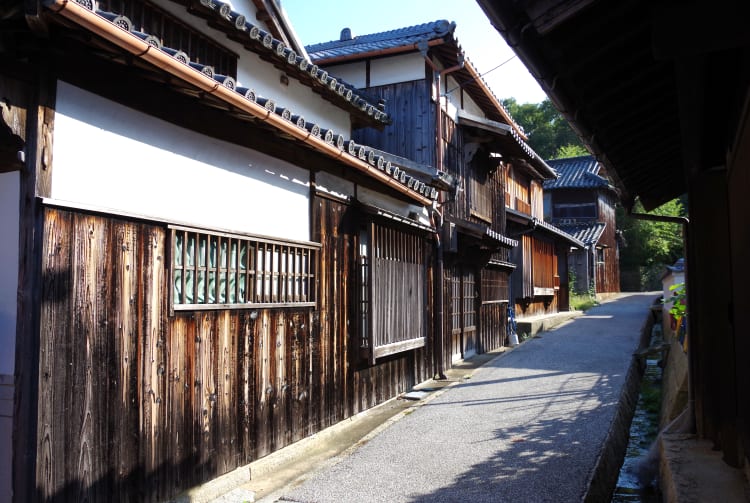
[581,202]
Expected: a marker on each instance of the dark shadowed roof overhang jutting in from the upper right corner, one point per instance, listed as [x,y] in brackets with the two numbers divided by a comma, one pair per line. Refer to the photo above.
[643,84]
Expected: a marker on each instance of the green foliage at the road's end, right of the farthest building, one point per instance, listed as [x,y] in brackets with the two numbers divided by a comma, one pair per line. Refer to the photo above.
[649,246]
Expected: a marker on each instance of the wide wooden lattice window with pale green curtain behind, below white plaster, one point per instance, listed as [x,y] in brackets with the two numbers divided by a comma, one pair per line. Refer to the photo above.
[213,270]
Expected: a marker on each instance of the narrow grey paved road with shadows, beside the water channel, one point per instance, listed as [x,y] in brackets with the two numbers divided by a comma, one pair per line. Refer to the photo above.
[528,426]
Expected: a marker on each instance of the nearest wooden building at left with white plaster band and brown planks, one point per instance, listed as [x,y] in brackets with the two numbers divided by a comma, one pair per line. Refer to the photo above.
[200,265]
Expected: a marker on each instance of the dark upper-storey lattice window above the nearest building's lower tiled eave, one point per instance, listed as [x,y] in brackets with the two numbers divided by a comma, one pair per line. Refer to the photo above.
[175,34]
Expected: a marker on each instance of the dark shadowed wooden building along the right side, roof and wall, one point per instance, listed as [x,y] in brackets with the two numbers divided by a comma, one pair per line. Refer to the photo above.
[666,113]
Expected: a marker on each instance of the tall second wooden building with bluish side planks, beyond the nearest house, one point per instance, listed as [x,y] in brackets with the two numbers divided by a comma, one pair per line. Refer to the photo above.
[451,125]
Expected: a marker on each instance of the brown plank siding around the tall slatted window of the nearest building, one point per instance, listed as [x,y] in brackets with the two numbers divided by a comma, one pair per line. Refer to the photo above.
[352,384]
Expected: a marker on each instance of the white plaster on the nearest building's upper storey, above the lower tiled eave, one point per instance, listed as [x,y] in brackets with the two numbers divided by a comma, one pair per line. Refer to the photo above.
[263,77]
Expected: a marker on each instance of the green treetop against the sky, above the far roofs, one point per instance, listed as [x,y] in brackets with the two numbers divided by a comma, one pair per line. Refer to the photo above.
[549,133]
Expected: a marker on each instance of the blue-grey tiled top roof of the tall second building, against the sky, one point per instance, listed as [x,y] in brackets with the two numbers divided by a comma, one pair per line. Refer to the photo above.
[380,41]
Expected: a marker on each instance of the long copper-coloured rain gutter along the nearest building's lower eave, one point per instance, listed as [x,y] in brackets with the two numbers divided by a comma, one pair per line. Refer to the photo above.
[139,48]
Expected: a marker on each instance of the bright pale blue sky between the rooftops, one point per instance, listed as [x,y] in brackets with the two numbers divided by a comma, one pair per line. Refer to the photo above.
[322,21]
